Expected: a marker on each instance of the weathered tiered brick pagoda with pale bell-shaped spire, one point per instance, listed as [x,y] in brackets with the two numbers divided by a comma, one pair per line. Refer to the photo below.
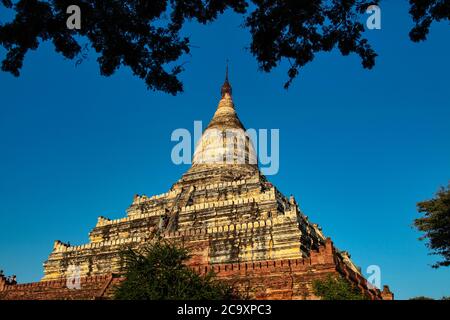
[231,218]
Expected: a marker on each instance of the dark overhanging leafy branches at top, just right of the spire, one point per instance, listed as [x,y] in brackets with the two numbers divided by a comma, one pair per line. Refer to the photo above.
[297,30]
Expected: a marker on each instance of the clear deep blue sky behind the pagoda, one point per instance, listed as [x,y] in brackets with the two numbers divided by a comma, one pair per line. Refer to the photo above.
[358,148]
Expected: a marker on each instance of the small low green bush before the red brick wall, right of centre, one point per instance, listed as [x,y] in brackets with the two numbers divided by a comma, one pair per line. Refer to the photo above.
[337,288]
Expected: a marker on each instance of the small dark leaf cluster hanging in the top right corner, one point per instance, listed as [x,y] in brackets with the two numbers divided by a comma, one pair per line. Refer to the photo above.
[424,12]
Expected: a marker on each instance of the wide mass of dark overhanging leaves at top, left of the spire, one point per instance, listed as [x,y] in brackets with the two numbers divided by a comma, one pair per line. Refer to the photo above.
[133,33]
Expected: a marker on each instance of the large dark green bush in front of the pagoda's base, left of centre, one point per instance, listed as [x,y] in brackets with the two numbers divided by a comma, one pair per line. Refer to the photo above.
[158,272]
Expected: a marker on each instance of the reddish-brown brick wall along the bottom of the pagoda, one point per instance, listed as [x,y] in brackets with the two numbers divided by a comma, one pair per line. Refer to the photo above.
[270,279]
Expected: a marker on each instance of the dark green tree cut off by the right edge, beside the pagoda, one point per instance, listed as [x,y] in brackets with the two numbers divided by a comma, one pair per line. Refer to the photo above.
[436,225]
